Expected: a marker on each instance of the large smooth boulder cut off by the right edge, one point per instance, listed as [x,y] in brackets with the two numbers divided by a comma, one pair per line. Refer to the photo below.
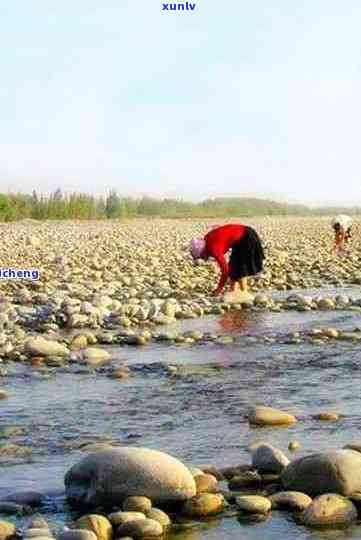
[338,471]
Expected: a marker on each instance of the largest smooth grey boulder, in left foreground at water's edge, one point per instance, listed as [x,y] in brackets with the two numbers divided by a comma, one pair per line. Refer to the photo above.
[107,478]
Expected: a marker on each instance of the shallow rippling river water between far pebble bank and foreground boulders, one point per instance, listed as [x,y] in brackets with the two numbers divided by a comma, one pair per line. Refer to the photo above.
[197,415]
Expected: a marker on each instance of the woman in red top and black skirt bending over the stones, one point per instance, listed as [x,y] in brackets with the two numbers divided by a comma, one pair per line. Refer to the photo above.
[246,256]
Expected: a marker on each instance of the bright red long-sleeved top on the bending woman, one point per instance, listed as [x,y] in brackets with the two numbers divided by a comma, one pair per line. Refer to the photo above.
[218,242]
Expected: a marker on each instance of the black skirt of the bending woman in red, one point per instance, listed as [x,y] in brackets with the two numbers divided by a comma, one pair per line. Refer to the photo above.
[247,256]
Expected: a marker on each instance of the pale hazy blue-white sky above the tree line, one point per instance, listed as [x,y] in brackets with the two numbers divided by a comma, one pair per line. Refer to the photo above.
[235,98]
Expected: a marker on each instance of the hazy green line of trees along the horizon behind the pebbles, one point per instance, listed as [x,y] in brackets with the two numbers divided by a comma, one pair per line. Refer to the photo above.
[59,206]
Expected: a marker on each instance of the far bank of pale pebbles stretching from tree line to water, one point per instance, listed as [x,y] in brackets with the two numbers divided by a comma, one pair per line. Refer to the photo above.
[125,283]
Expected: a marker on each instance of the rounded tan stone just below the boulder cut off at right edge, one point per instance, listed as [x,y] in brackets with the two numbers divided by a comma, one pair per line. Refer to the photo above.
[329,510]
